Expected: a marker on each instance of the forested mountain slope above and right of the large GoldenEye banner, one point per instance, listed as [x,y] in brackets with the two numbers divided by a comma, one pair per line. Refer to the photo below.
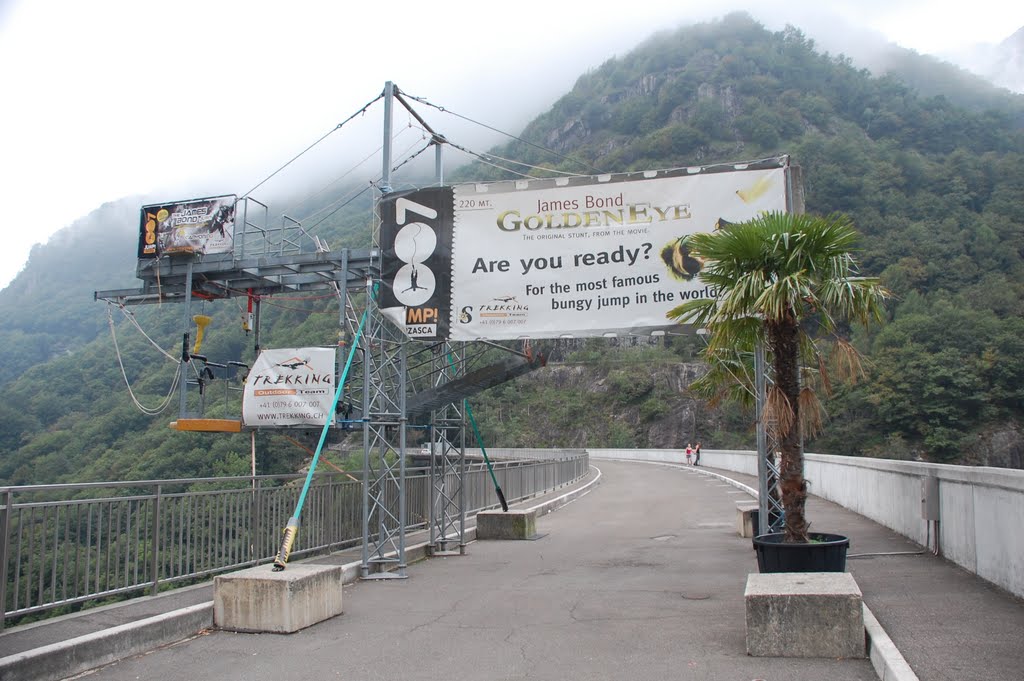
[935,189]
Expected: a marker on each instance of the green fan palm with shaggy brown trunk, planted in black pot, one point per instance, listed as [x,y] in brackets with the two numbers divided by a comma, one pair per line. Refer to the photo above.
[779,277]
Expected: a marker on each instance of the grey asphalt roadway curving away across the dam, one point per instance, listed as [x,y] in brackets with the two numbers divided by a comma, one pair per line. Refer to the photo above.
[642,579]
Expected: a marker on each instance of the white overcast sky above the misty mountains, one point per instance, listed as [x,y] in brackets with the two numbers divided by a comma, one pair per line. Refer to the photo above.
[110,99]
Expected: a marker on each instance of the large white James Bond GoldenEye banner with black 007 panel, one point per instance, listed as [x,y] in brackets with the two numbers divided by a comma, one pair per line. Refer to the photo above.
[581,257]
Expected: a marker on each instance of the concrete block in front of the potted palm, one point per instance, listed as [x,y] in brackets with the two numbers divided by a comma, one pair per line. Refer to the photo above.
[804,615]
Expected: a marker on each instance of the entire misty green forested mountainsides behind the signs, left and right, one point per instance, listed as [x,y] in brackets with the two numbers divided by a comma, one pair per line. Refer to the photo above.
[932,177]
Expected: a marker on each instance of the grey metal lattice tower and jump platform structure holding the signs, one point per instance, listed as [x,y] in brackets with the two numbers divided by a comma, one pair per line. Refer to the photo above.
[277,260]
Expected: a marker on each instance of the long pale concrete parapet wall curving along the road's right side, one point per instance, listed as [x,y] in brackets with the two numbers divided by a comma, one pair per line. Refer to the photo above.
[982,510]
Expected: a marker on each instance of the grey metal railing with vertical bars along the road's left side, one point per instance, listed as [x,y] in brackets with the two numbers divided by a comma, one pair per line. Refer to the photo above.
[65,545]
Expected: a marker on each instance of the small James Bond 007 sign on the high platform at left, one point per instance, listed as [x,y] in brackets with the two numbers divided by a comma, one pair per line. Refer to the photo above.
[197,226]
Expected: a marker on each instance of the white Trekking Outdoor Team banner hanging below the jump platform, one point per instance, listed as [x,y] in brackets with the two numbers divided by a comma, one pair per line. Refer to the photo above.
[290,388]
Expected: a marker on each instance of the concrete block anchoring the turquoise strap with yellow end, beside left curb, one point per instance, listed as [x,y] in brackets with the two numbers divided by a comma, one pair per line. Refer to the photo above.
[261,601]
